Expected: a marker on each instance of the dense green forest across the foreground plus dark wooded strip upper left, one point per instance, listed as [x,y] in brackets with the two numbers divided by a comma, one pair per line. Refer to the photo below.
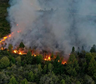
[27,69]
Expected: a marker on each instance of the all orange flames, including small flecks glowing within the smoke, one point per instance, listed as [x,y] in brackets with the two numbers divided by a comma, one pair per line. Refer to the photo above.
[22,52]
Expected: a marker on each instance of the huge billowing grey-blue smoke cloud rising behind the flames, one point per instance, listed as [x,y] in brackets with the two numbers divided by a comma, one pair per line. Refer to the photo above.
[55,25]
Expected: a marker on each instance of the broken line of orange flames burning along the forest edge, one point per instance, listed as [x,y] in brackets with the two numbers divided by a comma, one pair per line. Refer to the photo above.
[46,57]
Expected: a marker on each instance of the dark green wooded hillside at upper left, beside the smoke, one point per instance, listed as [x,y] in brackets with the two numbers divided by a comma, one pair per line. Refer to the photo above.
[4,25]
